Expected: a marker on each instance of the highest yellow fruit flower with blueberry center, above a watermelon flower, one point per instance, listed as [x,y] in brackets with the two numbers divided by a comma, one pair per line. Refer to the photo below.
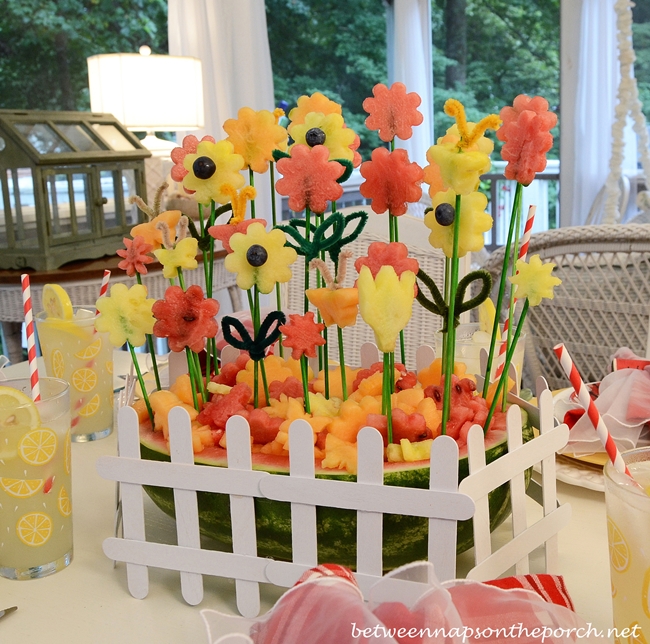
[328,130]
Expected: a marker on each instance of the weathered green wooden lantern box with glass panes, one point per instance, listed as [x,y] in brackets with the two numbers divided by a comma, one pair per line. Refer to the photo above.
[66,178]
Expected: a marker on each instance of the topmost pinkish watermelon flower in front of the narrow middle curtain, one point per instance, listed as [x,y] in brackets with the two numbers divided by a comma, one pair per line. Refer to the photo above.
[393,111]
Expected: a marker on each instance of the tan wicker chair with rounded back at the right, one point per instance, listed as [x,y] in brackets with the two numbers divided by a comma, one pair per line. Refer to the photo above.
[602,304]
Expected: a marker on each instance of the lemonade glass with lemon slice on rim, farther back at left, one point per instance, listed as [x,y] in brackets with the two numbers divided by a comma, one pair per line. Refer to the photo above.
[81,356]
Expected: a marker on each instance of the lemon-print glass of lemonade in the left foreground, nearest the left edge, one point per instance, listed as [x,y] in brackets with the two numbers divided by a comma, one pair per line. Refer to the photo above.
[35,481]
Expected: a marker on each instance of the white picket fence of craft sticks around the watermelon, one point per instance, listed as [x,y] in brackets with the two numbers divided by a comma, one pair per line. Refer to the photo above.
[443,504]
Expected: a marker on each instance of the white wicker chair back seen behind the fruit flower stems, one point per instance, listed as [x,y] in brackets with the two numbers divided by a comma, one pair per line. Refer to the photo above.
[423,325]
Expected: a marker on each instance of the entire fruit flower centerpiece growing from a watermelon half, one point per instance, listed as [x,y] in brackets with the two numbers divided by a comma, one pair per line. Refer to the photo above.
[272,383]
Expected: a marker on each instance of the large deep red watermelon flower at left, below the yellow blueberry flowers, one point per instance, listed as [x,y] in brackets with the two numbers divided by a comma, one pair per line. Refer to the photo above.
[185,318]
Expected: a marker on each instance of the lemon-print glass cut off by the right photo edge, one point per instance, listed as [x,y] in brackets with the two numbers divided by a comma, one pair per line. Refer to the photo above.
[628,533]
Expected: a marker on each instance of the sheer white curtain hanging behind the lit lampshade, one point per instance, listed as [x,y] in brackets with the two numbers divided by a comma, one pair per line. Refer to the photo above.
[230,39]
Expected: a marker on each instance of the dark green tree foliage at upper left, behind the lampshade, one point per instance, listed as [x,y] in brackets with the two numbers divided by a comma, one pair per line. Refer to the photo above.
[44,45]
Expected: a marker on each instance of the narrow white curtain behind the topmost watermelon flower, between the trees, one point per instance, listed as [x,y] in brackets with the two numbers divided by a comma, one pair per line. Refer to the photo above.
[409,61]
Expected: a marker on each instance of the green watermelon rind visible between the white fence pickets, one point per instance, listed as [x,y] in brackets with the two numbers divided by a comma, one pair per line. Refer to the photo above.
[405,537]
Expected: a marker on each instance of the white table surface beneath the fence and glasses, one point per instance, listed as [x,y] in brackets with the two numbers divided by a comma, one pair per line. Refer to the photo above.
[88,602]
